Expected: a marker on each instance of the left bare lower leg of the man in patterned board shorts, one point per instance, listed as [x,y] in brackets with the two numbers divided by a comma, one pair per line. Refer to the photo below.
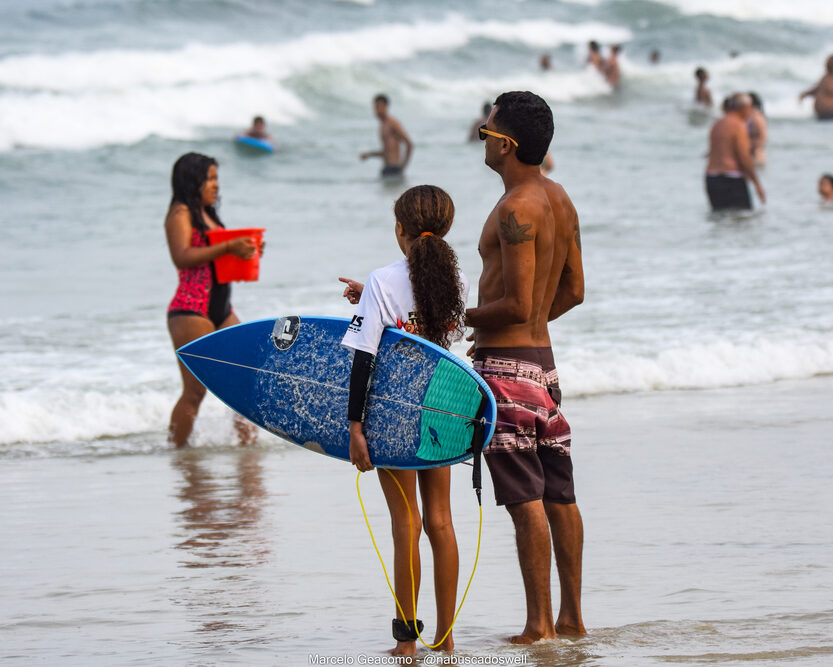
[532,535]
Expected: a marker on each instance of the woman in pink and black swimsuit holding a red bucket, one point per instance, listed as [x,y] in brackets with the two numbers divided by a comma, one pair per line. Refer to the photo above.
[201,304]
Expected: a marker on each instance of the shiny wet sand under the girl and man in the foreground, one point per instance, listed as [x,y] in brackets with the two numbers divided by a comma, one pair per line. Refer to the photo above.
[708,533]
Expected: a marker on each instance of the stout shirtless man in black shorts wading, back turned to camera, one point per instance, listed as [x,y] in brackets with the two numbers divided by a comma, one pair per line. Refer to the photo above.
[730,158]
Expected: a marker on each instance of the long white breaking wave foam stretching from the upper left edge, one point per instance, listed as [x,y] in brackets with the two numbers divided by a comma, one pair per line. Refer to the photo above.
[80,100]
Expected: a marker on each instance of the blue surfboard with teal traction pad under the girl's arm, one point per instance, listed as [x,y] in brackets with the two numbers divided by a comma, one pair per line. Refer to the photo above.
[291,376]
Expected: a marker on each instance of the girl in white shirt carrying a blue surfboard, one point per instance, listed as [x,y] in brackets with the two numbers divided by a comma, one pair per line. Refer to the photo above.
[424,293]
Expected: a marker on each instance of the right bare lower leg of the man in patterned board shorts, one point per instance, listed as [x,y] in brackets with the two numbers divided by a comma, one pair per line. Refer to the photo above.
[568,542]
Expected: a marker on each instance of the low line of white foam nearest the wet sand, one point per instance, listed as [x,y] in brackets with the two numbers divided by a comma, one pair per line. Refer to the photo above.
[59,413]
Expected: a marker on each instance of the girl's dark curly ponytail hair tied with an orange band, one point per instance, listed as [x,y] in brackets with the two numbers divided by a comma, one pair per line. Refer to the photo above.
[435,276]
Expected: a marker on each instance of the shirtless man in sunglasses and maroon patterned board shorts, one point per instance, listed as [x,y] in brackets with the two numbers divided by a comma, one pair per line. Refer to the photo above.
[532,274]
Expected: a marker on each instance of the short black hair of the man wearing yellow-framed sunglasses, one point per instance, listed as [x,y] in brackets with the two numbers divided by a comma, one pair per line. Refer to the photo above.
[528,120]
